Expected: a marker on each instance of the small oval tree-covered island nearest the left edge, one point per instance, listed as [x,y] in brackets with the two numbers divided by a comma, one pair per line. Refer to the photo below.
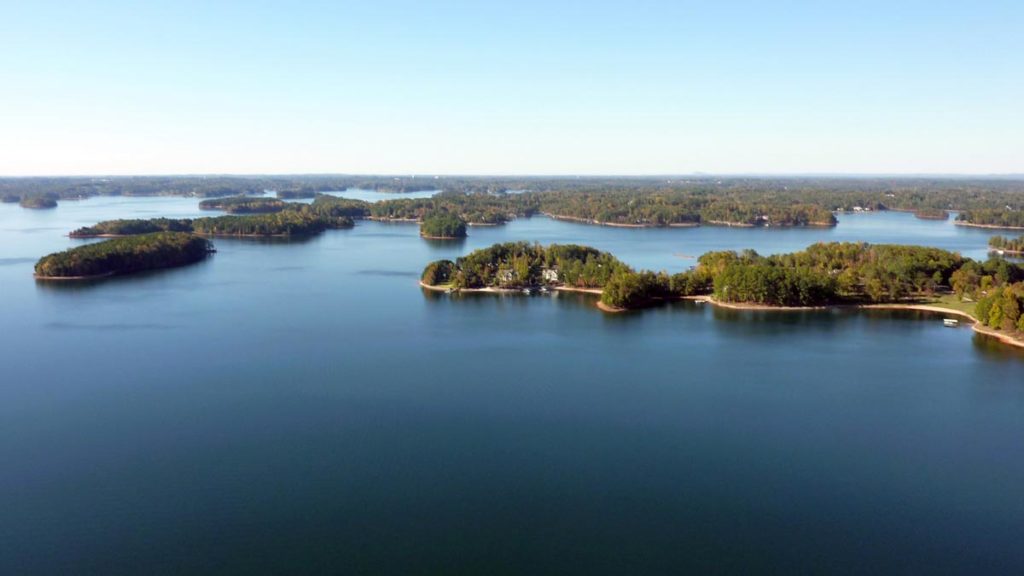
[123,256]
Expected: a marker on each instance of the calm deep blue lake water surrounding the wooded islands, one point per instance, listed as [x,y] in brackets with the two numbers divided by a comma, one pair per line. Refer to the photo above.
[305,407]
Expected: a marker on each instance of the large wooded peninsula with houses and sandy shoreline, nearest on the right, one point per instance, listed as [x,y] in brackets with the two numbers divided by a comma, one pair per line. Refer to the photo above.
[824,275]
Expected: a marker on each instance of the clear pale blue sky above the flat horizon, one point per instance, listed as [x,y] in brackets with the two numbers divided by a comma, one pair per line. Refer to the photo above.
[513,88]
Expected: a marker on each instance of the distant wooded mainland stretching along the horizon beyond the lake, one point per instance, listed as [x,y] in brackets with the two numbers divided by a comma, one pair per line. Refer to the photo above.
[636,201]
